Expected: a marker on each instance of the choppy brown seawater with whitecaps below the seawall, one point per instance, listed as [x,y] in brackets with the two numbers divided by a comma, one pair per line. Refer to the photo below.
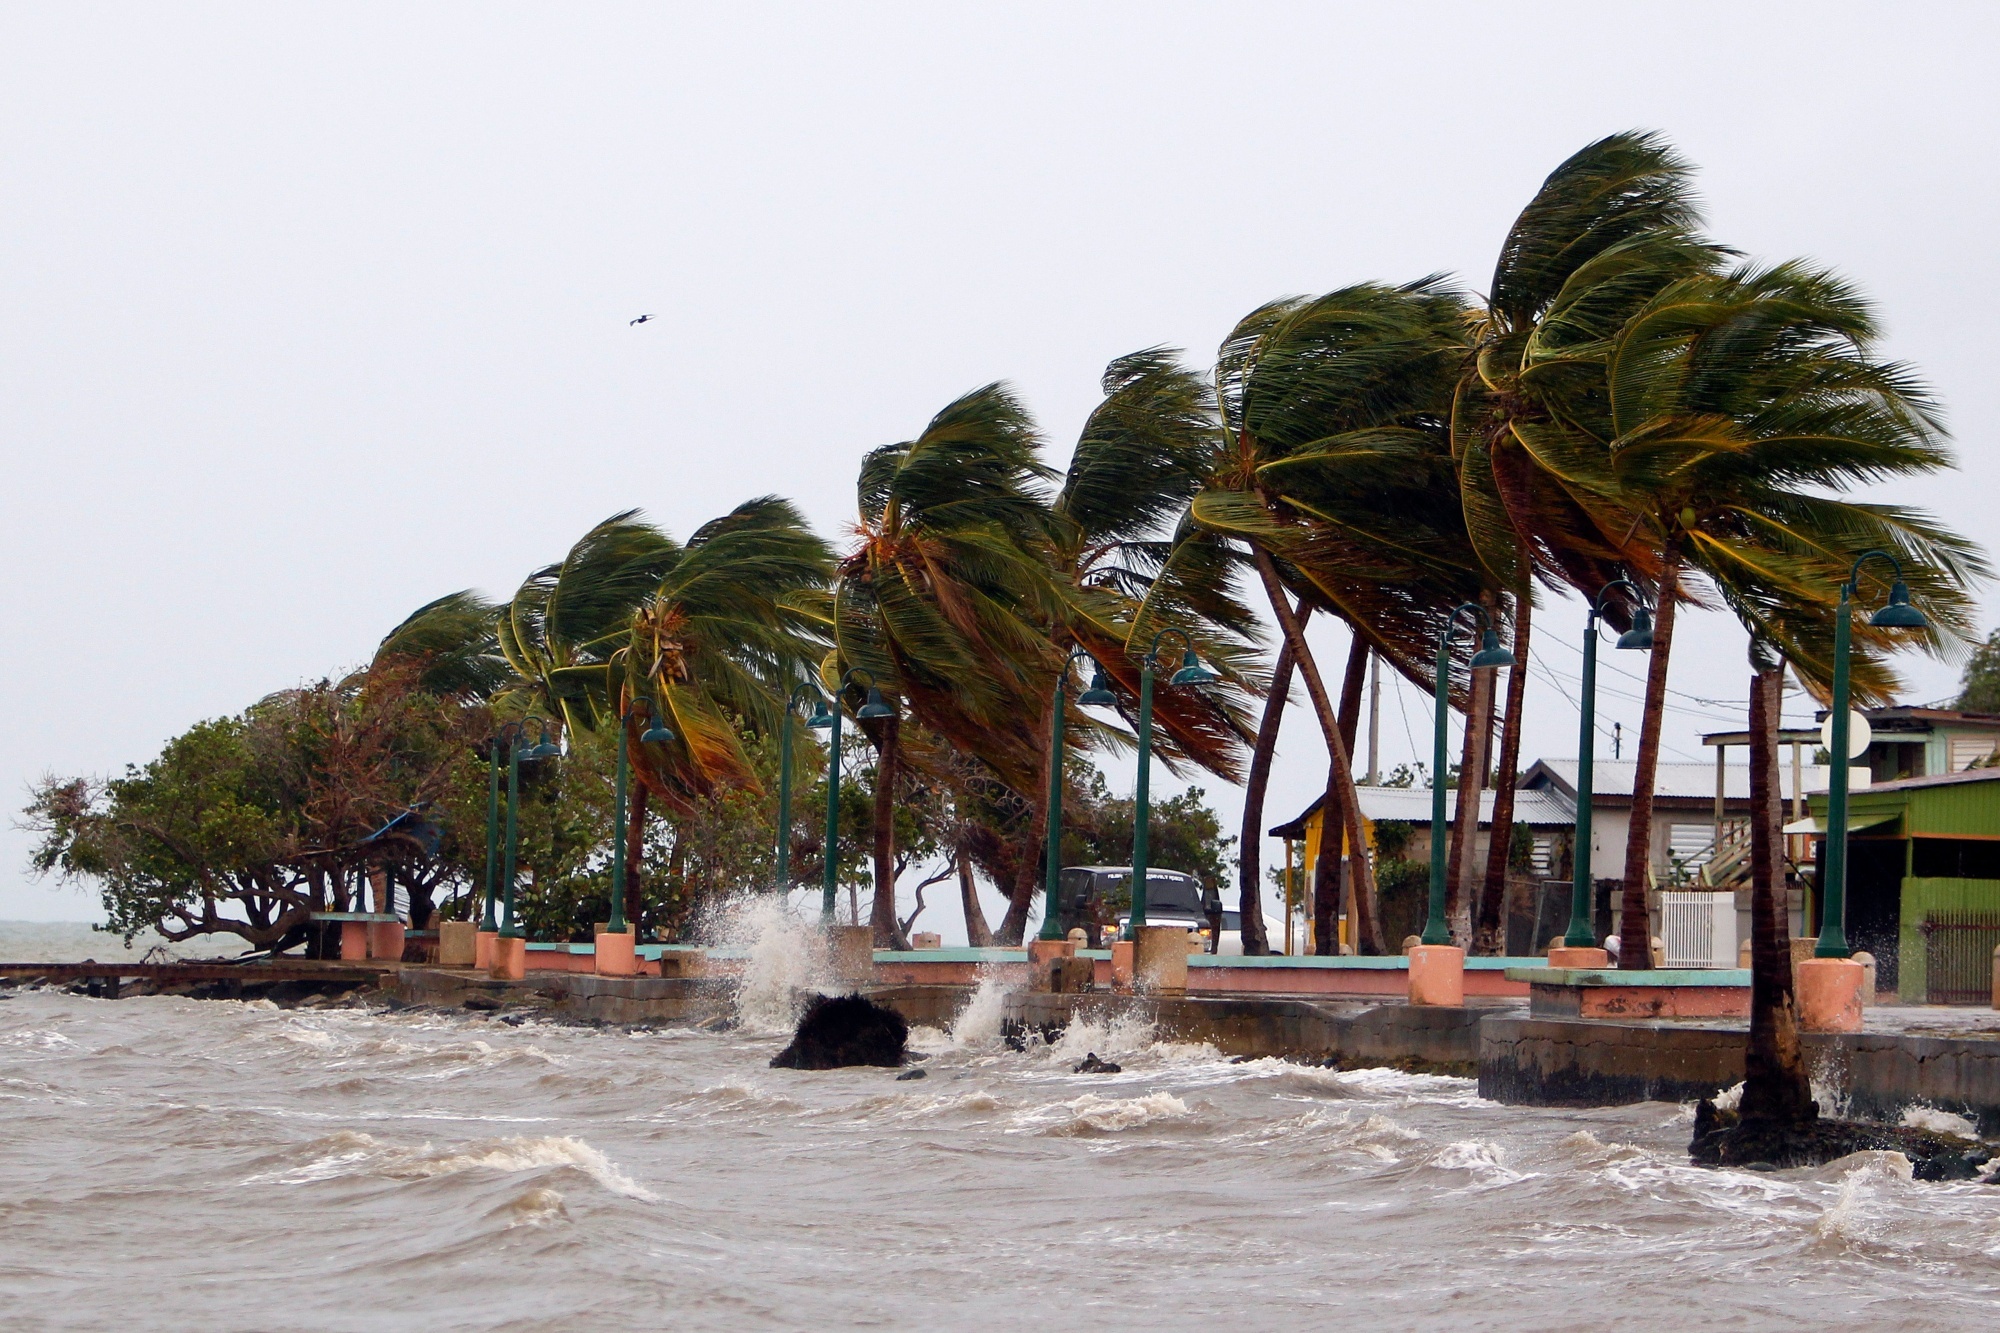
[173,1164]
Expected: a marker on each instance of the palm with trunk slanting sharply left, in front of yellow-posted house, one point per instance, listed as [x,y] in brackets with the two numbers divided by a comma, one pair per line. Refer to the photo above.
[1339,485]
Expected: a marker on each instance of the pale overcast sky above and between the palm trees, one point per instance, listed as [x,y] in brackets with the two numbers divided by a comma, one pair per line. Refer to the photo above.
[315,313]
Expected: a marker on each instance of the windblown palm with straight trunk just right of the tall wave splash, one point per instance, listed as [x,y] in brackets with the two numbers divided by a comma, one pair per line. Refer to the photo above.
[945,601]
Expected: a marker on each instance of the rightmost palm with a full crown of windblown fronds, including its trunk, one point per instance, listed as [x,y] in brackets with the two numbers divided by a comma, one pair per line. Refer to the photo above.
[1739,407]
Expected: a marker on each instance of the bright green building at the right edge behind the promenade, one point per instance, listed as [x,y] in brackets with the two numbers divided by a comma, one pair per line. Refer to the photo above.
[1923,882]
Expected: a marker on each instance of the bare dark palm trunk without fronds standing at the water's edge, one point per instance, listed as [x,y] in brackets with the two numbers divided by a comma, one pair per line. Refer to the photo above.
[1777,1086]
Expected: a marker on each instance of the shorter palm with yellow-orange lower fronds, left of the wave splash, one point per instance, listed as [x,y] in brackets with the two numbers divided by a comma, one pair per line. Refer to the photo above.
[735,621]
